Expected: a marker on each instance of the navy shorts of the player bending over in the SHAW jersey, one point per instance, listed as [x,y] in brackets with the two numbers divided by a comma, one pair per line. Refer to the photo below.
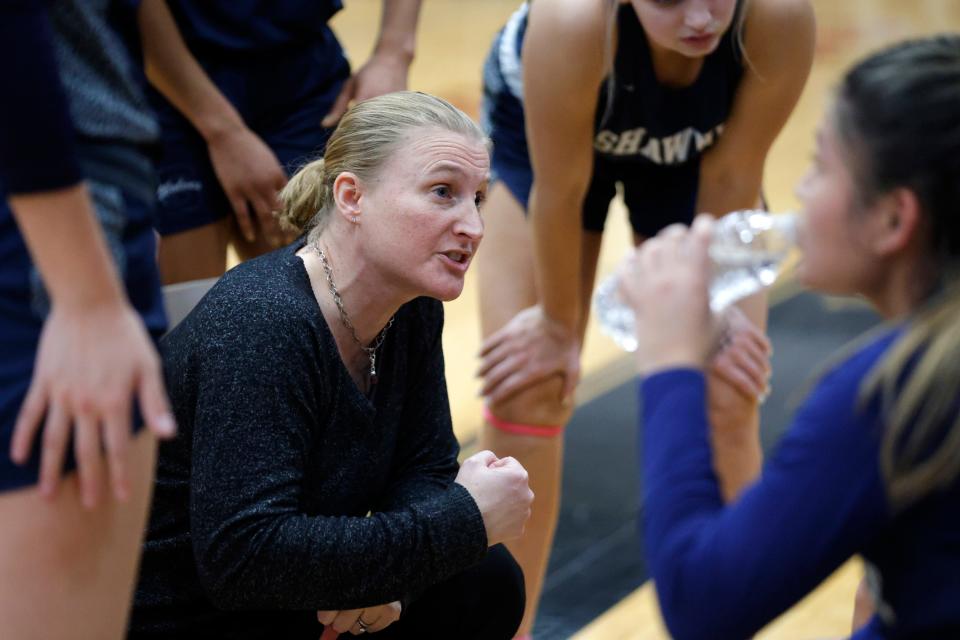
[656,196]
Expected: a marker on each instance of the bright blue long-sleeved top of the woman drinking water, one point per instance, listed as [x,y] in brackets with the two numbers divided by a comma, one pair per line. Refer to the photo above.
[724,571]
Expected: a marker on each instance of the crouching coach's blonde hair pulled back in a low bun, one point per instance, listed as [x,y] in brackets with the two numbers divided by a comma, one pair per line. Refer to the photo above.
[367,135]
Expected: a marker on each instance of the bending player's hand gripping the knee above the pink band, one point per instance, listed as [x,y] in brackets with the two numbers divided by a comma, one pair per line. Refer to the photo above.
[527,350]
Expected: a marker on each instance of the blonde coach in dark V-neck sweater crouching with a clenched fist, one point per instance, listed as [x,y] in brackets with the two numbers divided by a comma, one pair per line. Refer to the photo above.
[316,479]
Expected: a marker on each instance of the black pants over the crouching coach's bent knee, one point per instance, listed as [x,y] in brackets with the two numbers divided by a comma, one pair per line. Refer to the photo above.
[484,602]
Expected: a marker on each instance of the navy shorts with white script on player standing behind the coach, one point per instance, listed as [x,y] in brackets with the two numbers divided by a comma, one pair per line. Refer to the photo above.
[282,97]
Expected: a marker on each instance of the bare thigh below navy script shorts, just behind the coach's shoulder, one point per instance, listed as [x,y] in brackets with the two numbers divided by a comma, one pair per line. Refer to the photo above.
[195,254]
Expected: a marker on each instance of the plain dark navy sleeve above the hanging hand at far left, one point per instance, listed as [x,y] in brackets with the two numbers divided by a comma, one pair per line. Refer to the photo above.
[36,133]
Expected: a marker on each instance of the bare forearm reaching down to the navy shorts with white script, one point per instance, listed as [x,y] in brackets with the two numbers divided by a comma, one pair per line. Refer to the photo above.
[174,72]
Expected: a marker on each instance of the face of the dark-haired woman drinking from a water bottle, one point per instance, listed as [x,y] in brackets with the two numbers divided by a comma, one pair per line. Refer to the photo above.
[833,232]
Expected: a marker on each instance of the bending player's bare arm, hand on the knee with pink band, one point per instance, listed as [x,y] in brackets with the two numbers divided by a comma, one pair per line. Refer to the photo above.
[563,67]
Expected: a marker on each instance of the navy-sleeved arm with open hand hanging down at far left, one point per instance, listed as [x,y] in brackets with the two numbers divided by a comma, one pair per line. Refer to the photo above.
[94,355]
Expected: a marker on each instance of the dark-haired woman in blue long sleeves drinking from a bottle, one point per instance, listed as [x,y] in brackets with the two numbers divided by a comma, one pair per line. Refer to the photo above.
[871,464]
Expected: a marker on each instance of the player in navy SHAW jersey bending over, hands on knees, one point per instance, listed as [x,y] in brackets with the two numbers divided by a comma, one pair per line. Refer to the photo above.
[675,102]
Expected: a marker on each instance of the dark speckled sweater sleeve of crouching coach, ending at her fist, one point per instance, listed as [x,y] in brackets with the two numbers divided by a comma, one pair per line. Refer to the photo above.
[254,547]
